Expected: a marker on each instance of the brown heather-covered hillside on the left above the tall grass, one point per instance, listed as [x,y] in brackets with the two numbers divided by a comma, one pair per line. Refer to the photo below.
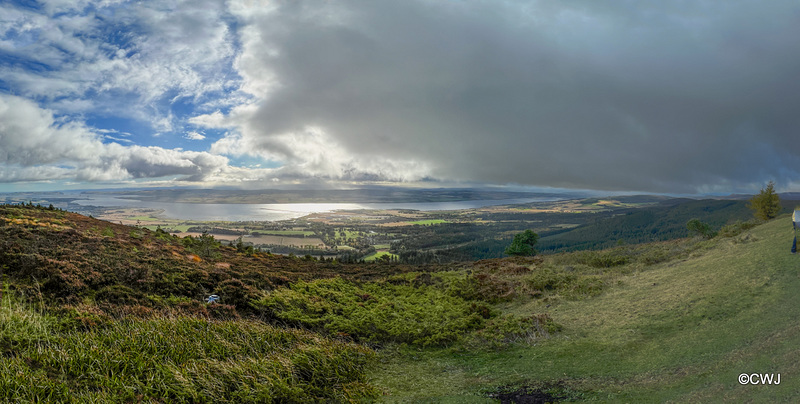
[69,258]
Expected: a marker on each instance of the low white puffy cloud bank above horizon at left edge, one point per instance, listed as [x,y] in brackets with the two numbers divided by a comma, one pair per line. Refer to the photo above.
[35,146]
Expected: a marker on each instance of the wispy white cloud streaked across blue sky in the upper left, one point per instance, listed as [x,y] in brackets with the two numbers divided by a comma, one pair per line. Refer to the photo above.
[125,59]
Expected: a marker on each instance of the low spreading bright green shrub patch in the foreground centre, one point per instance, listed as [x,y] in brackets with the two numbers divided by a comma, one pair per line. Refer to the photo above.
[376,312]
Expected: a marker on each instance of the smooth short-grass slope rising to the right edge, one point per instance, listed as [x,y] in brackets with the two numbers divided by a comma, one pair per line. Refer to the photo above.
[681,332]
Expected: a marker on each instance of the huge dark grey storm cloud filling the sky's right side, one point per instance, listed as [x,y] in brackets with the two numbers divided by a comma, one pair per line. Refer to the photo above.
[648,95]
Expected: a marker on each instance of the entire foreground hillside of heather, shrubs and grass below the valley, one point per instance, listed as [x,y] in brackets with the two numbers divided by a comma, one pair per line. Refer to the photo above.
[97,311]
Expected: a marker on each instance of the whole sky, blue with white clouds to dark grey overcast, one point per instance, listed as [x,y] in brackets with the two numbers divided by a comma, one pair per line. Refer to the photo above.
[642,96]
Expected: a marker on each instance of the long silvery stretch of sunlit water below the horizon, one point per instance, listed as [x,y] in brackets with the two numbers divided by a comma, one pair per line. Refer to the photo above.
[278,211]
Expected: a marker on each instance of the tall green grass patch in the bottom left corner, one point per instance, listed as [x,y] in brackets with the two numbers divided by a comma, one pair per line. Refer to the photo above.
[172,359]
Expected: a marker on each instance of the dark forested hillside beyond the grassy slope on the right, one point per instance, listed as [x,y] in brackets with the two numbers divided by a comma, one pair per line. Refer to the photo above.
[590,224]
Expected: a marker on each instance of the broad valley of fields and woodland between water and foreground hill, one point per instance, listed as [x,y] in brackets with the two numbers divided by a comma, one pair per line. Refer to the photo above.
[414,236]
